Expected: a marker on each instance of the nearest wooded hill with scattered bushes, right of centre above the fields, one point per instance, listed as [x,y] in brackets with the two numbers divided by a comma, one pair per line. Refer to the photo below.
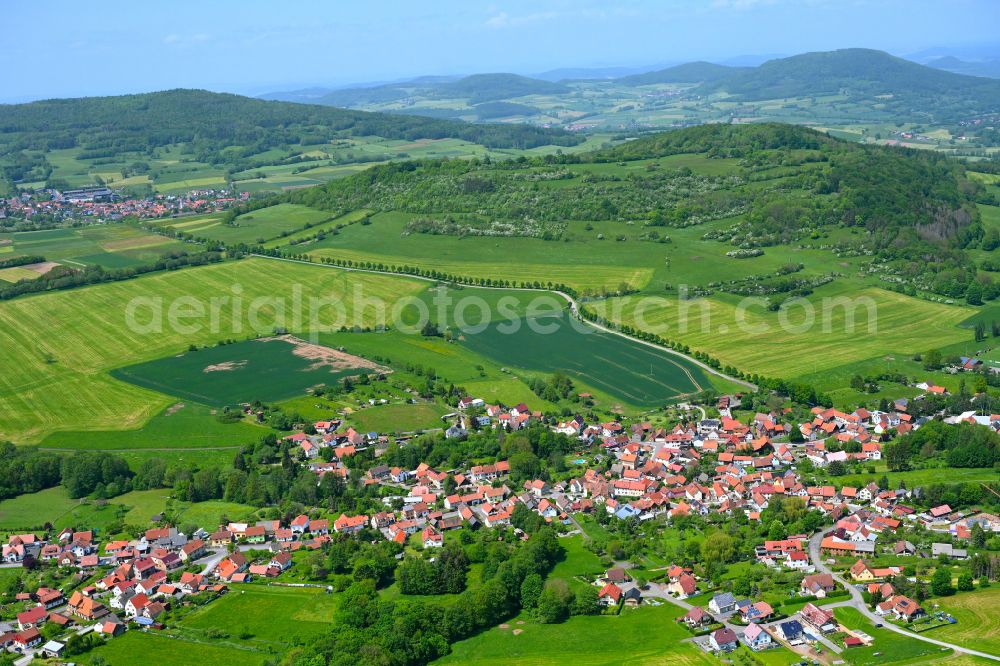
[914,205]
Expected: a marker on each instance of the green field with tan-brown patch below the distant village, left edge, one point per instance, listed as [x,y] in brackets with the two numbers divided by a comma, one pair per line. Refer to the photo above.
[110,246]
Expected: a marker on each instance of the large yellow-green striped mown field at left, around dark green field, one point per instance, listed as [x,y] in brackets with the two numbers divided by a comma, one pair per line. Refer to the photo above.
[61,366]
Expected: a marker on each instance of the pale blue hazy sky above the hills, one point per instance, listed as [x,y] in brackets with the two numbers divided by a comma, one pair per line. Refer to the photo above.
[63,48]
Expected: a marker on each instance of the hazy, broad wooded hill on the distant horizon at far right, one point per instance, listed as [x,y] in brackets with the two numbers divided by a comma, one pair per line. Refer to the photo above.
[864,74]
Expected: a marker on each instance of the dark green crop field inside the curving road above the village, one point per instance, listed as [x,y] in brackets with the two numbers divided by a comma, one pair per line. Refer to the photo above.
[622,368]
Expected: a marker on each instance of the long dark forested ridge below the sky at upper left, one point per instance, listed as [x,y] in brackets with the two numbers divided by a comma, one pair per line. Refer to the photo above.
[217,121]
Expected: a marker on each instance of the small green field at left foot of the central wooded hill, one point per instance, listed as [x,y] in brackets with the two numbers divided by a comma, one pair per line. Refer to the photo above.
[257,226]
